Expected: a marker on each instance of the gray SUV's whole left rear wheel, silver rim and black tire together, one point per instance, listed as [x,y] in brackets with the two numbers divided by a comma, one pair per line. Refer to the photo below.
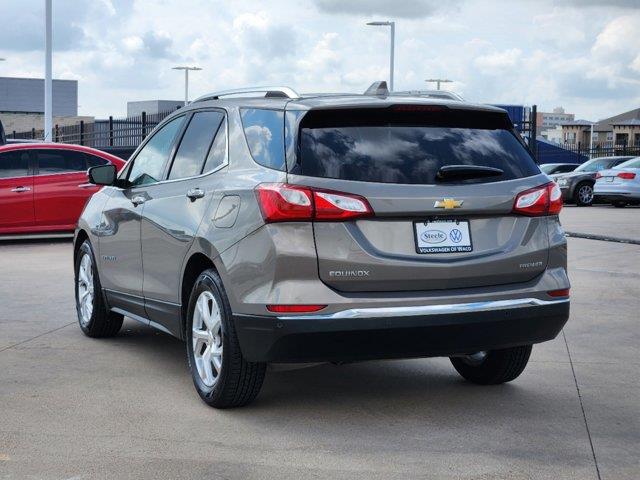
[221,375]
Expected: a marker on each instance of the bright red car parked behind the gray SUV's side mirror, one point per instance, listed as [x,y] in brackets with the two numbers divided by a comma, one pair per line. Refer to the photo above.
[43,186]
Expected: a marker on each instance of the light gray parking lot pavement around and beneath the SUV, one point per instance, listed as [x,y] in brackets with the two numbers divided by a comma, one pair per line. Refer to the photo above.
[74,407]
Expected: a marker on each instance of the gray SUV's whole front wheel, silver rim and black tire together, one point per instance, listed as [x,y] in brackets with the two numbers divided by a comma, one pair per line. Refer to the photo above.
[94,317]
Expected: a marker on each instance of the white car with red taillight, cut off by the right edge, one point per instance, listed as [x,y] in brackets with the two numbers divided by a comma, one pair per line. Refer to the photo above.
[620,185]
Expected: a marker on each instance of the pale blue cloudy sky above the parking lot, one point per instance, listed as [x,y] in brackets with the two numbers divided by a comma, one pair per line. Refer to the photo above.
[581,54]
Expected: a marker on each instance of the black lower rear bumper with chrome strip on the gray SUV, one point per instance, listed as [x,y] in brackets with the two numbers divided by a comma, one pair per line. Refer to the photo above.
[400,332]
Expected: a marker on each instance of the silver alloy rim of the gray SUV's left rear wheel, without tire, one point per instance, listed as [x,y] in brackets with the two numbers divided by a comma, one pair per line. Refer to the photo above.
[206,337]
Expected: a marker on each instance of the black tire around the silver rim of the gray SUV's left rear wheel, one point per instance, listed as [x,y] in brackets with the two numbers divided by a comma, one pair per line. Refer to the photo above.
[238,381]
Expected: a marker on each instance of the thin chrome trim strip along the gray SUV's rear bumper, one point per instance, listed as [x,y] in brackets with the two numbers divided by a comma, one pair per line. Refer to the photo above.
[412,311]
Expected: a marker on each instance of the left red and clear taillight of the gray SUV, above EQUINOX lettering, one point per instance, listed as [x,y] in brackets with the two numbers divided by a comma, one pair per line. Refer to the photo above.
[281,202]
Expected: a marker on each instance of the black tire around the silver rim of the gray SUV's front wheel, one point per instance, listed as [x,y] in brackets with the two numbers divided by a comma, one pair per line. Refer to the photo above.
[101,322]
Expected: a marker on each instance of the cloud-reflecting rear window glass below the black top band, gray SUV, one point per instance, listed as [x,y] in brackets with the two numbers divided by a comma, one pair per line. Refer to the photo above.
[409,154]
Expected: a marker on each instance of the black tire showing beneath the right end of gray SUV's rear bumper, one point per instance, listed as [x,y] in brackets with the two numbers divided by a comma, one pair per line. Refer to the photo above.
[499,366]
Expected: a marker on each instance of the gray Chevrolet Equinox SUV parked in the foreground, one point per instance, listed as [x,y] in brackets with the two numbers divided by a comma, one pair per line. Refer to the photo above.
[265,226]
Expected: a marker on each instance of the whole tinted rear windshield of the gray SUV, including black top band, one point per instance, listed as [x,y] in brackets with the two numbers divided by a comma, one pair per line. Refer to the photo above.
[401,145]
